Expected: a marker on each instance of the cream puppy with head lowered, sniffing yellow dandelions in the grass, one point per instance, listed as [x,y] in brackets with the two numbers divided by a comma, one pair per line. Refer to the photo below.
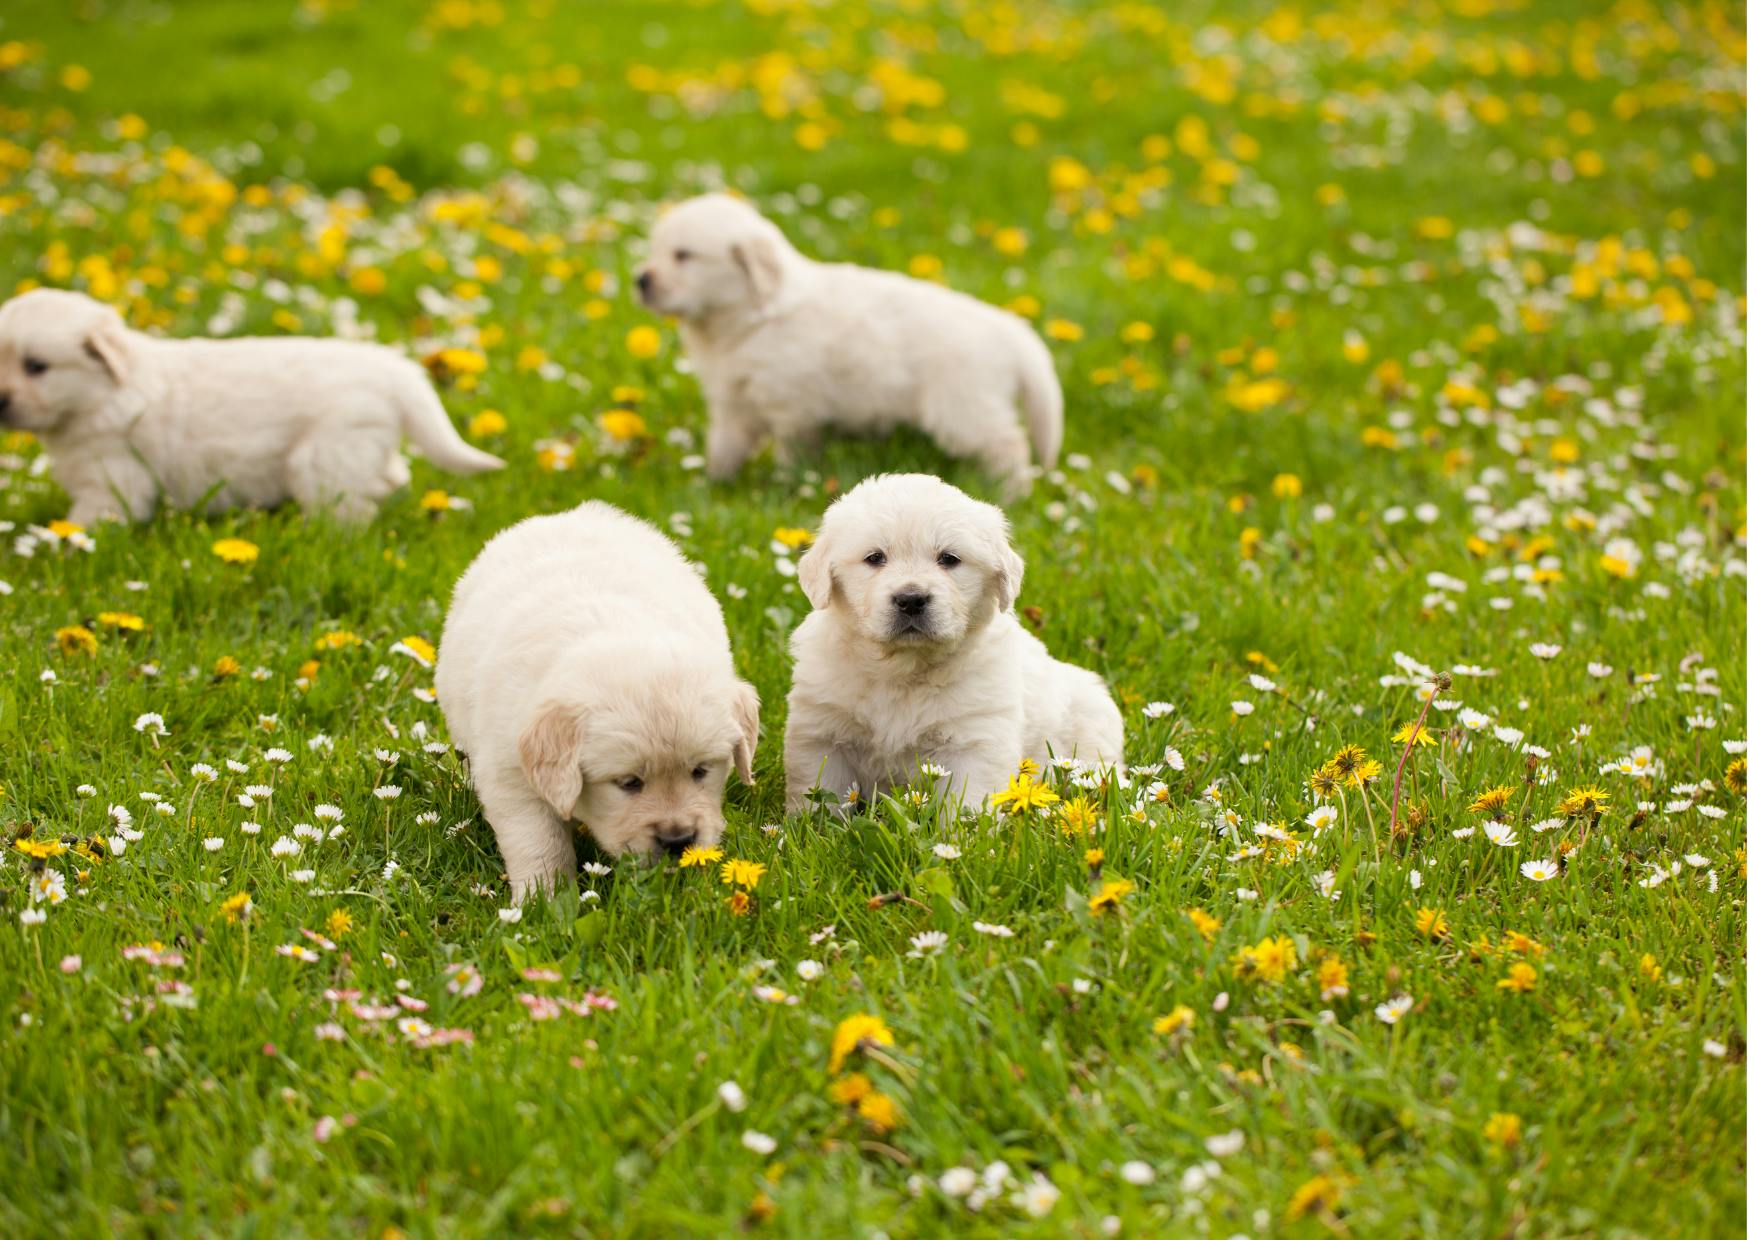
[586,674]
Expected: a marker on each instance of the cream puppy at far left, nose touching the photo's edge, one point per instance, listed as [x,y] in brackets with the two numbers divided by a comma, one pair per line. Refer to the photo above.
[132,421]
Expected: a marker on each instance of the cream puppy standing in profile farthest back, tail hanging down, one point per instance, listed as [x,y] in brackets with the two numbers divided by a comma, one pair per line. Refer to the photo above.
[786,345]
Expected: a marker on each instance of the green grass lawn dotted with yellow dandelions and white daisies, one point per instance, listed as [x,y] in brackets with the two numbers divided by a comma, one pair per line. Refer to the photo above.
[1165,555]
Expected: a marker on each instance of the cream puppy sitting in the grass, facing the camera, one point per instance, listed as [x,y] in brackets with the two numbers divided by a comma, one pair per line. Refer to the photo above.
[913,653]
